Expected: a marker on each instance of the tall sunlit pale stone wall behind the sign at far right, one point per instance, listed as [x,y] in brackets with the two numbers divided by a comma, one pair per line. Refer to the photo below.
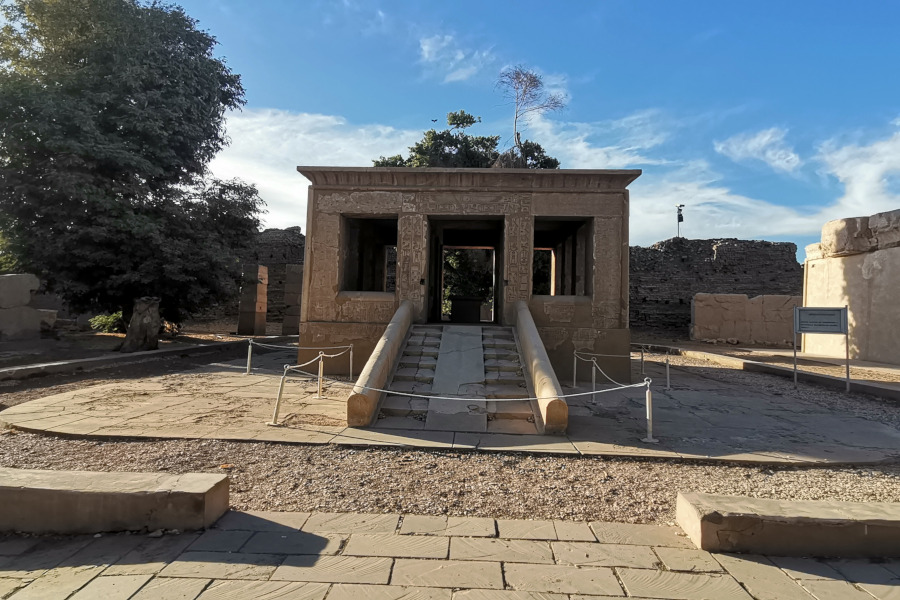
[857,264]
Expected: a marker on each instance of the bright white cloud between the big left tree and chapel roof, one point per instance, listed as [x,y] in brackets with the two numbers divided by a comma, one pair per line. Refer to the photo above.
[267,145]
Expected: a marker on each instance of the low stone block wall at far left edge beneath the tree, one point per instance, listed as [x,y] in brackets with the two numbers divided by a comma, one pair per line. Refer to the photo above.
[18,319]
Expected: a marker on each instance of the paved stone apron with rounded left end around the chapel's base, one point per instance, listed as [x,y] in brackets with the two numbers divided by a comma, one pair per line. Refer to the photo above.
[699,418]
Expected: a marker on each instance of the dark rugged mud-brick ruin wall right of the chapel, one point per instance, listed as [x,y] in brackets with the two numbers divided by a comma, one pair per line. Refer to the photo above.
[667,275]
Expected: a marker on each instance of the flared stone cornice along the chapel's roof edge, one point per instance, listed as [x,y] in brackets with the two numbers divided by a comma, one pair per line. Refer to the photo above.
[393,178]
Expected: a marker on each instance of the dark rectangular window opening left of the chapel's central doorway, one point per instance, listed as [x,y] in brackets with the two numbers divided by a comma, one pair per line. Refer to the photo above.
[369,254]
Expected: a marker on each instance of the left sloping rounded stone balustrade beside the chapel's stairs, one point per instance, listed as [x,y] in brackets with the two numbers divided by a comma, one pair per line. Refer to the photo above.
[362,405]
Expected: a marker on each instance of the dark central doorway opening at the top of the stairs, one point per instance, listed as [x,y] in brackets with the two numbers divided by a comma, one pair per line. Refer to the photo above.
[465,255]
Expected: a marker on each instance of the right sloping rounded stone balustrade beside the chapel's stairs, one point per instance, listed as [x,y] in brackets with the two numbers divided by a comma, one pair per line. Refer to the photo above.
[552,410]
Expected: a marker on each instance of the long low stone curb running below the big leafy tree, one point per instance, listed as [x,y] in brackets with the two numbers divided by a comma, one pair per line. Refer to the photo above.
[111,360]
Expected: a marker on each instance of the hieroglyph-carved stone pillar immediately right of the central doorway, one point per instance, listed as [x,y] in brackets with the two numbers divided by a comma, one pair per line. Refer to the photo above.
[519,248]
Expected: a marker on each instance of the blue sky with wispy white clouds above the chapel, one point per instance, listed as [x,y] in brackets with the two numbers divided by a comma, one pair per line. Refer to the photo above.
[765,119]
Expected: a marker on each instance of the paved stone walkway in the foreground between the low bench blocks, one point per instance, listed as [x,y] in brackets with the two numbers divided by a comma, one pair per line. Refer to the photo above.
[311,556]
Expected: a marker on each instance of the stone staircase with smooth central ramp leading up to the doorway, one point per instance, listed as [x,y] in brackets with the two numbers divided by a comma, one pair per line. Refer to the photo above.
[481,363]
